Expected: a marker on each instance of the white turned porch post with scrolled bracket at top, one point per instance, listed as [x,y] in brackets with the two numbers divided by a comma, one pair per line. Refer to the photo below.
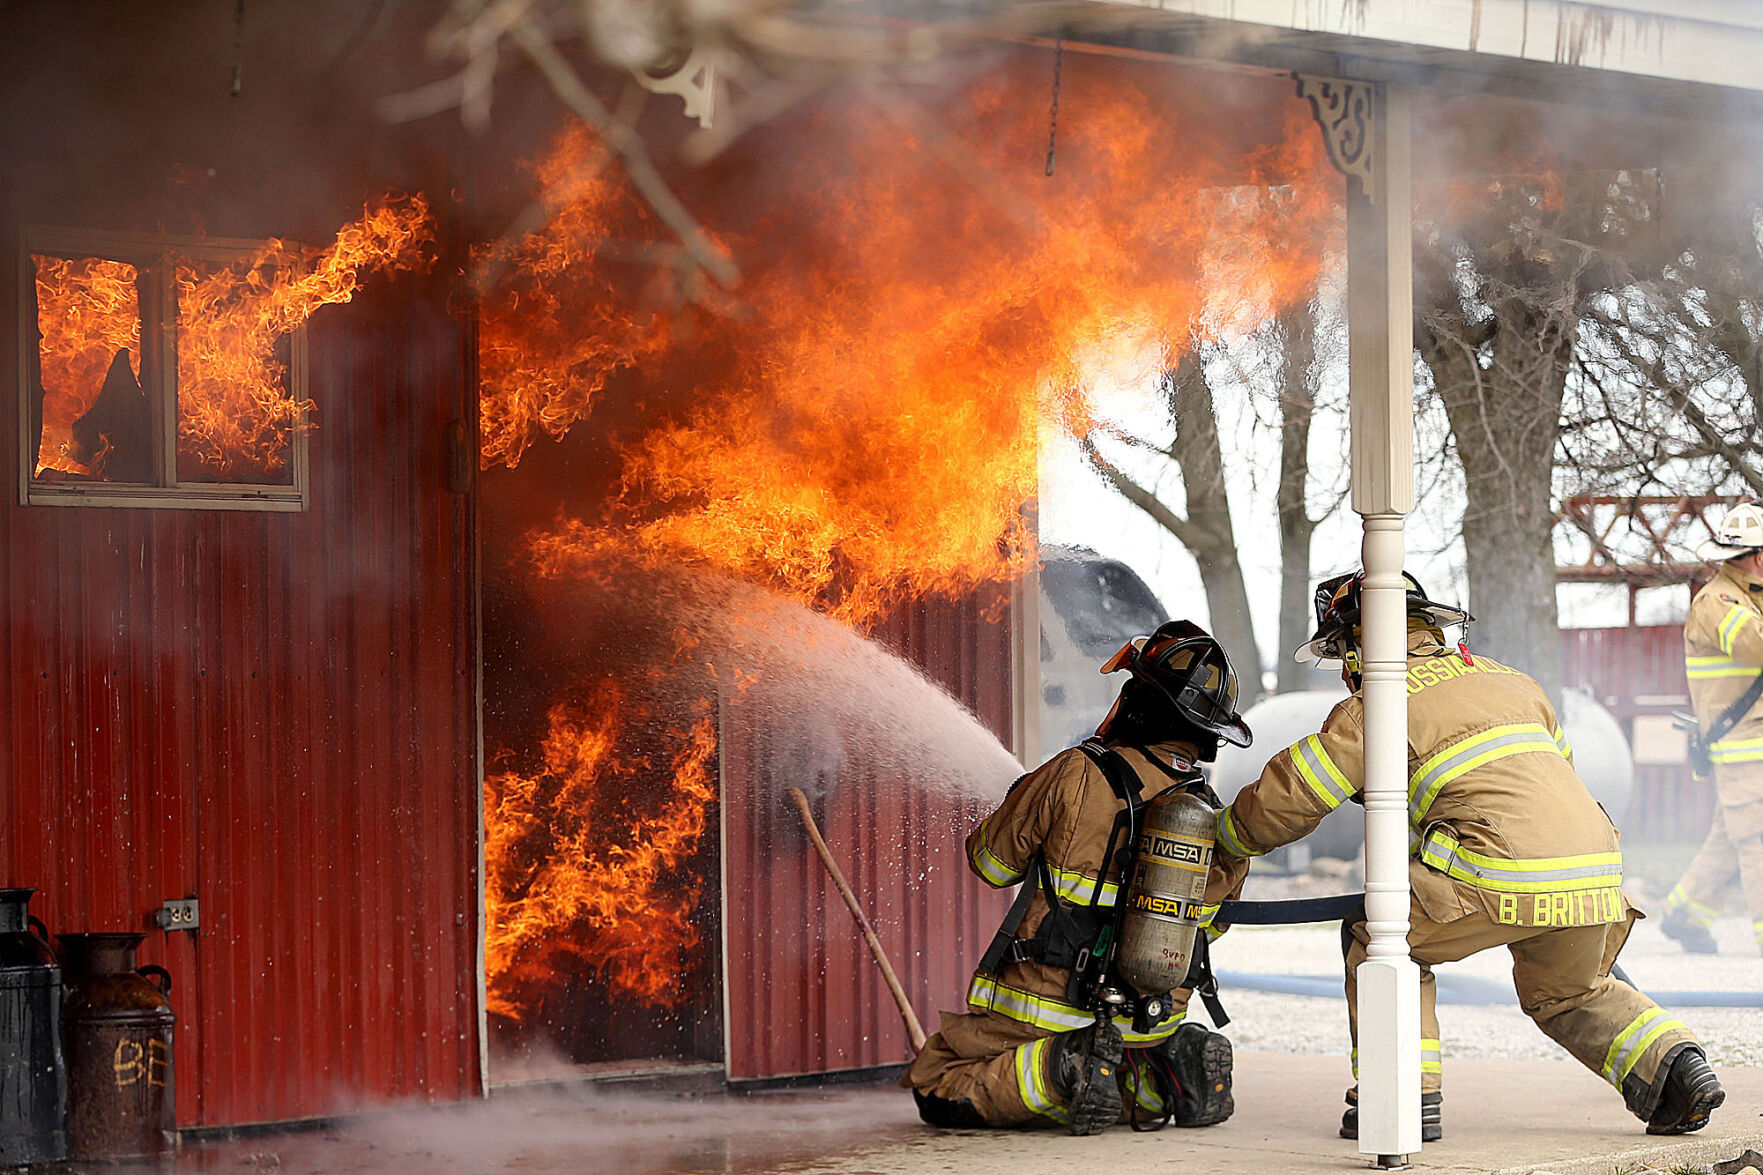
[1367,128]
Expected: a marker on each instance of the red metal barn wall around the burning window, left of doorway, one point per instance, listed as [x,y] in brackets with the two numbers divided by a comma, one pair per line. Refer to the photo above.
[274,714]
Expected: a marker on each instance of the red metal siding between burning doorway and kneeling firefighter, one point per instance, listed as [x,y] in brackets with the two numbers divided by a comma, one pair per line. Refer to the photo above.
[803,992]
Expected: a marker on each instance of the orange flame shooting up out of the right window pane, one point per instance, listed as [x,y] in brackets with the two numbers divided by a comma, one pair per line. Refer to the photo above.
[235,415]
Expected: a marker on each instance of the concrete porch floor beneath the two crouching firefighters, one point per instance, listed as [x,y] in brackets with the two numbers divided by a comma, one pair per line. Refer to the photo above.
[1508,1118]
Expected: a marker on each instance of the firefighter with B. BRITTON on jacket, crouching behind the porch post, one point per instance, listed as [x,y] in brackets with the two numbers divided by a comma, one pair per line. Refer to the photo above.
[1508,849]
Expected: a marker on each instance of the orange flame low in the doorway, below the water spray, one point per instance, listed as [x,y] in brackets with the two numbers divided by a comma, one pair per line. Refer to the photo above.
[572,872]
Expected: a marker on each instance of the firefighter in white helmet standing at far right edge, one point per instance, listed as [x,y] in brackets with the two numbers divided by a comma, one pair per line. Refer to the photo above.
[1723,655]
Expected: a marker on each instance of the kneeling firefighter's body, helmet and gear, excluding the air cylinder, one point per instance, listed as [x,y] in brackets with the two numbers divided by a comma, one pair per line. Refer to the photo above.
[1027,1054]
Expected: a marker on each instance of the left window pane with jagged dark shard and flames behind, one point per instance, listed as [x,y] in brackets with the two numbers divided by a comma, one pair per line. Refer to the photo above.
[93,417]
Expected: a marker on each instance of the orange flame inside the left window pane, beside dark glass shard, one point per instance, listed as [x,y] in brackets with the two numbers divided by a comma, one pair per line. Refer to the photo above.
[87,311]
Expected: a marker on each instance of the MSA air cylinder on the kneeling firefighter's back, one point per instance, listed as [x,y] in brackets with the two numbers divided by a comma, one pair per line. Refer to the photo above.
[1163,904]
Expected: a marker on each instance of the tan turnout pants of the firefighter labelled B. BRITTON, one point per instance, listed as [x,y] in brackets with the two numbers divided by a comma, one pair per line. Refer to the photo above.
[1563,982]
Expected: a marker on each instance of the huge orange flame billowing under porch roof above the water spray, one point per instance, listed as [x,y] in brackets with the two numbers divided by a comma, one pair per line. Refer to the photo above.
[874,430]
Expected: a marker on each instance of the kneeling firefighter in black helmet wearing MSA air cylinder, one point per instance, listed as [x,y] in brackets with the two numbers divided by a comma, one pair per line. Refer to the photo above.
[1059,1035]
